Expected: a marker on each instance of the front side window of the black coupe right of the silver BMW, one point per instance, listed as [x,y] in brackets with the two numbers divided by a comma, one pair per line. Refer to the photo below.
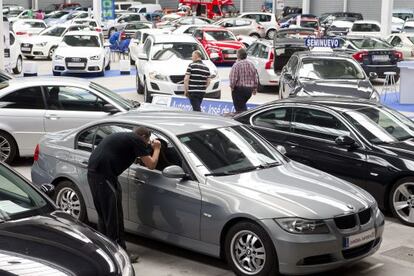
[317,124]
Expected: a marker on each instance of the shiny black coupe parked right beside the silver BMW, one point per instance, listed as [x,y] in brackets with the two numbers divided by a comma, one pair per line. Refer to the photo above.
[357,140]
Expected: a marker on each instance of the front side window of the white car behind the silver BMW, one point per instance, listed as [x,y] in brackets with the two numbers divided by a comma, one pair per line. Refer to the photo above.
[72,99]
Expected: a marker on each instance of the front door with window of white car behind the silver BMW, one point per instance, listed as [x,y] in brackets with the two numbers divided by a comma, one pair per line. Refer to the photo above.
[70,107]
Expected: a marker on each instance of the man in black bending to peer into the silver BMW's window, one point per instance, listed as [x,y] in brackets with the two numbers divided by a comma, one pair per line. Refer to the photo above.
[114,155]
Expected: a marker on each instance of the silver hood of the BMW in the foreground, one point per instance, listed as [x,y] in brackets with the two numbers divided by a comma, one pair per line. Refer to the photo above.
[296,190]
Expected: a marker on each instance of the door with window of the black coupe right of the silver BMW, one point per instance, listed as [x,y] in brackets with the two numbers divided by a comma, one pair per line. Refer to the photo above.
[312,142]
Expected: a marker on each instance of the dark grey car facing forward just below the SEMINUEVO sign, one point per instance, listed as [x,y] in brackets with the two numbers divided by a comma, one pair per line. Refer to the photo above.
[315,73]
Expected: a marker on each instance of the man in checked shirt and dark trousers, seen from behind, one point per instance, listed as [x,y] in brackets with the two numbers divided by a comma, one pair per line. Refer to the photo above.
[243,81]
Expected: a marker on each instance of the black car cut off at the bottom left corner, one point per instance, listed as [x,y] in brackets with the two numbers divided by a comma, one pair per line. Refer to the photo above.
[38,239]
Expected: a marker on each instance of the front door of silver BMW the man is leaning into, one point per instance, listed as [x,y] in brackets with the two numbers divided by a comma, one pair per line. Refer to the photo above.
[166,204]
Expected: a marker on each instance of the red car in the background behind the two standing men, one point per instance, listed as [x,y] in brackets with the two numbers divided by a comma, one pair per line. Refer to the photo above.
[221,44]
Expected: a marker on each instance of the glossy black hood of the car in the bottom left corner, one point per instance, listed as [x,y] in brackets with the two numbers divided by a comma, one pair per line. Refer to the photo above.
[55,243]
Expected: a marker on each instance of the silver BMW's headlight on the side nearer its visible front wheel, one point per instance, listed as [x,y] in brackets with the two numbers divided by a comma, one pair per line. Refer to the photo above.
[303,226]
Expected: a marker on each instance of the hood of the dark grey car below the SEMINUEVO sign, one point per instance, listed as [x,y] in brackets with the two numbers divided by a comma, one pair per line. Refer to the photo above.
[340,88]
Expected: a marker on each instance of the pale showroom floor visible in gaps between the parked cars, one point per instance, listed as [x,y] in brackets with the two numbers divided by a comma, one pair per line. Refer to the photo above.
[395,257]
